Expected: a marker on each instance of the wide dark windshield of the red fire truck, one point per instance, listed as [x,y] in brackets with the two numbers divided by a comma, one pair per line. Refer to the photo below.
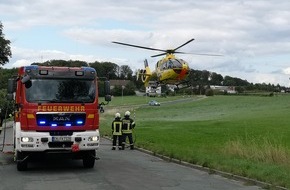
[61,90]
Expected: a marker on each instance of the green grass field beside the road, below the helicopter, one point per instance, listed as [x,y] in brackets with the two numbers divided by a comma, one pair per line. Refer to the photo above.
[244,135]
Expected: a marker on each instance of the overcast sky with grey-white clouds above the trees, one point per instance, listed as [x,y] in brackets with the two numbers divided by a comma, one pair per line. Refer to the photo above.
[252,35]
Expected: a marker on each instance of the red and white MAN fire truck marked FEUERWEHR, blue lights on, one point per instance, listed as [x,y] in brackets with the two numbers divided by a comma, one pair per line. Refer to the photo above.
[56,112]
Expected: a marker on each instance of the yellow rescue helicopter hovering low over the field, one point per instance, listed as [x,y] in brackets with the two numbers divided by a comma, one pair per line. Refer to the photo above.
[169,70]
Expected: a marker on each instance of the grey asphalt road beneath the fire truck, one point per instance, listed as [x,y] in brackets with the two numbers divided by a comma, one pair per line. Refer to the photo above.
[116,170]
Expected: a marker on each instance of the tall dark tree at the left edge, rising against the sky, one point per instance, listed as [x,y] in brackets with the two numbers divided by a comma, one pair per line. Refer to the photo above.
[5,51]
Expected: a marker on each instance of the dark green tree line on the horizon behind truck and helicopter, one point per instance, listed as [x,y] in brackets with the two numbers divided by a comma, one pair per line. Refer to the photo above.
[112,71]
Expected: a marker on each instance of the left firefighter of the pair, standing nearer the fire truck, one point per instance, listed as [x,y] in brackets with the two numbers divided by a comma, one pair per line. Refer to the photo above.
[117,131]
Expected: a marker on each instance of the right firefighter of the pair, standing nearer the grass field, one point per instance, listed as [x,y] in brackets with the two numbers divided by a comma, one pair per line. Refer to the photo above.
[127,127]
